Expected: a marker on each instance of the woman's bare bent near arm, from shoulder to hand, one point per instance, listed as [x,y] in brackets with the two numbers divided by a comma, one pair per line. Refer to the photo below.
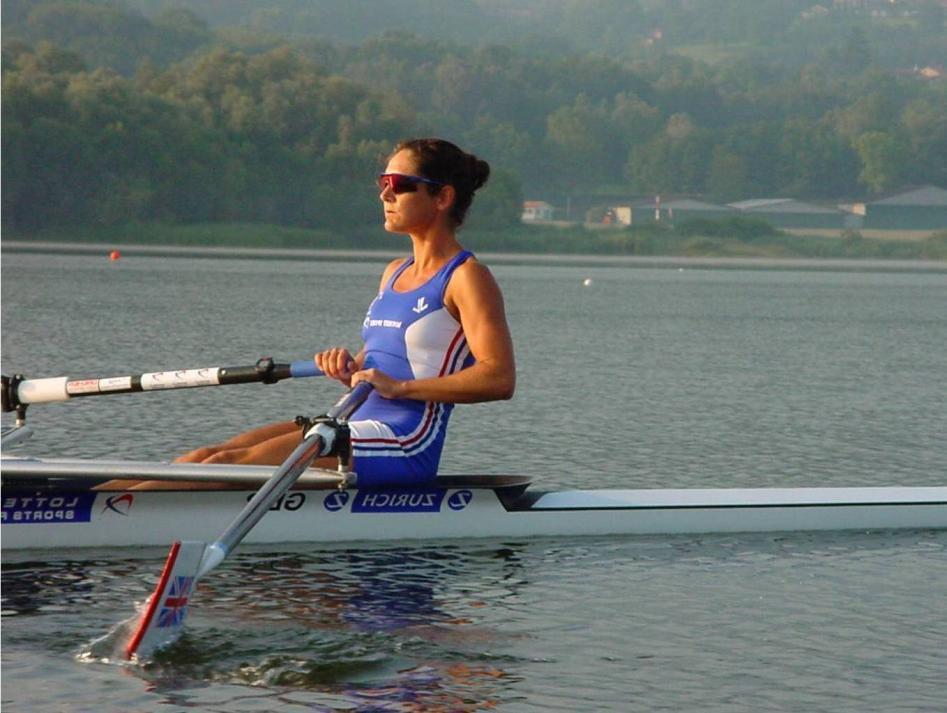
[474,297]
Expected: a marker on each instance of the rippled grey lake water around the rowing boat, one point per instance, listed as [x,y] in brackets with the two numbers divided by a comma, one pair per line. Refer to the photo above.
[647,377]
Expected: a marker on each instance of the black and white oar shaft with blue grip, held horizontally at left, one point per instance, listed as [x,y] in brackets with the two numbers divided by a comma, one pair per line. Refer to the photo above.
[18,392]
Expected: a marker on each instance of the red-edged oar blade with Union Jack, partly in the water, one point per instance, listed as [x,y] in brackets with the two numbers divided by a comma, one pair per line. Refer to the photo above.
[163,619]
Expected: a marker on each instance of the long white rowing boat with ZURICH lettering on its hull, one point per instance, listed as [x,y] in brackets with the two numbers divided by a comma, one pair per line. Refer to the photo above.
[51,504]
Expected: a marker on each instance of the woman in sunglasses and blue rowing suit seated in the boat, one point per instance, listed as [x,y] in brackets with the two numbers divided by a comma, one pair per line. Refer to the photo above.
[435,335]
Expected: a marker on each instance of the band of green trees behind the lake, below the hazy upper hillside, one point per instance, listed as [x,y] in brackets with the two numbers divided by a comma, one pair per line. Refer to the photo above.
[186,123]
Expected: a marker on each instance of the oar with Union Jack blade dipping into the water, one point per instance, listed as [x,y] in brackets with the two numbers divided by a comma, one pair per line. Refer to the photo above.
[163,618]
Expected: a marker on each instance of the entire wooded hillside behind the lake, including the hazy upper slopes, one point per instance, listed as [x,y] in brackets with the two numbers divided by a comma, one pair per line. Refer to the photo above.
[278,112]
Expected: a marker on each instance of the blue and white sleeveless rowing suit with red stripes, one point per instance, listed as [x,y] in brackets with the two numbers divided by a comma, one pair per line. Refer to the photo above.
[407,335]
